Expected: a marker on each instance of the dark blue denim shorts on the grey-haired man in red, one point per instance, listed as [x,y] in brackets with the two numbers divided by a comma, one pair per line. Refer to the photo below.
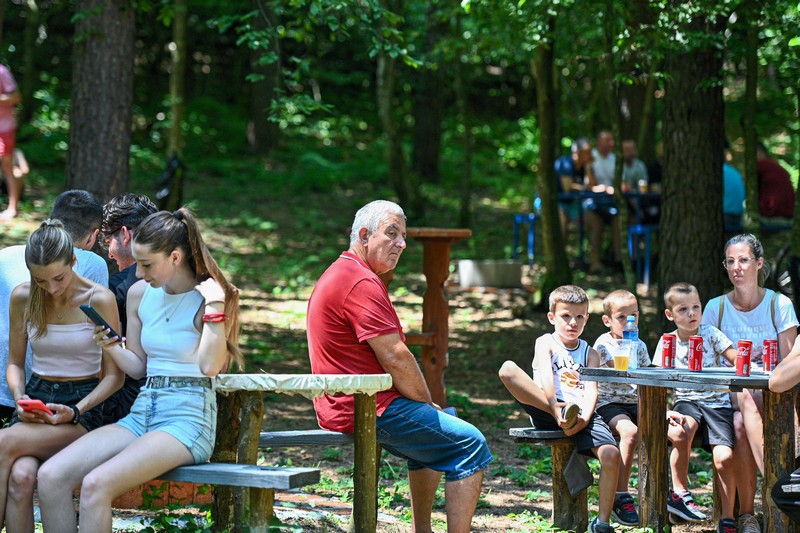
[428,438]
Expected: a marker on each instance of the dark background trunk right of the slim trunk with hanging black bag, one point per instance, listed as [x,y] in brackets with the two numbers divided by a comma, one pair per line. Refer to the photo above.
[263,134]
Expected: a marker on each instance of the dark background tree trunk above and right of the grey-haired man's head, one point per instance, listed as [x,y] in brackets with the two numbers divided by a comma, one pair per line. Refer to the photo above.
[429,103]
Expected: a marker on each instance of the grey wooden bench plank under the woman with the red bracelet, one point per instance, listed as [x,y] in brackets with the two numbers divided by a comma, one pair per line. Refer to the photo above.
[239,475]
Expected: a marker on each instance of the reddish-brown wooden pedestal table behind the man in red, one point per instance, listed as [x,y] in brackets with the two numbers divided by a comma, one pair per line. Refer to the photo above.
[434,339]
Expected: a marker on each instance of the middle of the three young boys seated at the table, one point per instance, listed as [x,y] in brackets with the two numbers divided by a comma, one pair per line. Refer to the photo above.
[618,405]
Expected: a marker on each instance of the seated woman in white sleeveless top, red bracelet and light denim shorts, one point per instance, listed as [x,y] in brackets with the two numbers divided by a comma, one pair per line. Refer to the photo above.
[182,331]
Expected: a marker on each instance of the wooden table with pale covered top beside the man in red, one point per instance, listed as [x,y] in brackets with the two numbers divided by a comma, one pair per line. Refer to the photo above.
[362,387]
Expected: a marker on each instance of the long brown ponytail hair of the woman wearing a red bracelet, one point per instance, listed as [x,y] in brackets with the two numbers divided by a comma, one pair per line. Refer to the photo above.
[163,232]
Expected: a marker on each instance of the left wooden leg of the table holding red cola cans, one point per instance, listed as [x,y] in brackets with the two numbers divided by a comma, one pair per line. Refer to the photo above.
[653,473]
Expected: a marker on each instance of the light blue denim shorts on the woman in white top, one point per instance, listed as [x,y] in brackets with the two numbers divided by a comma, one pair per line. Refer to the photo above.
[187,413]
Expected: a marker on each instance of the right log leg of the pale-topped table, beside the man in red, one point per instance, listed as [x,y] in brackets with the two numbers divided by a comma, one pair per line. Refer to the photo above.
[365,470]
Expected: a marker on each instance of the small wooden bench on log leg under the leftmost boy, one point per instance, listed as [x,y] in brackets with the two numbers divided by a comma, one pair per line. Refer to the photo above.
[570,513]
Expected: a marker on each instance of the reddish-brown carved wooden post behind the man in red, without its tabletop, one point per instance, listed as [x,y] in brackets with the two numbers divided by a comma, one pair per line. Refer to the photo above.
[436,315]
